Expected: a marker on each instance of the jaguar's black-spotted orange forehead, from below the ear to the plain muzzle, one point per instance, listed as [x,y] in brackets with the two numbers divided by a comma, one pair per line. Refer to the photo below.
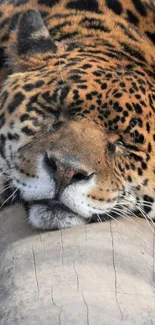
[112,97]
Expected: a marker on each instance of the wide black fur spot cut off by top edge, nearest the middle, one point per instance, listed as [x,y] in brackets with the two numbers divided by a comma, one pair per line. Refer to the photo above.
[83,5]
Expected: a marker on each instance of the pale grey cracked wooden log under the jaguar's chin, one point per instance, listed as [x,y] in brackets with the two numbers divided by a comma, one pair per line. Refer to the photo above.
[100,274]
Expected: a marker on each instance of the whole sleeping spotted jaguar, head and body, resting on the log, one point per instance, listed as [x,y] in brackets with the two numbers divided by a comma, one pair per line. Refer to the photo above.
[77,109]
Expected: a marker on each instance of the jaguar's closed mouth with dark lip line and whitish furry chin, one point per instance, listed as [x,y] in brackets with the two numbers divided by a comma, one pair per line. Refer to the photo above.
[51,214]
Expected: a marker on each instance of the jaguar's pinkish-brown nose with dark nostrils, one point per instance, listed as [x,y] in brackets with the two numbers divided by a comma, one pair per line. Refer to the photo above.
[65,174]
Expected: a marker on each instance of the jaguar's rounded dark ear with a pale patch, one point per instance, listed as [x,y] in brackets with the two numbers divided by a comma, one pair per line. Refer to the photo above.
[30,43]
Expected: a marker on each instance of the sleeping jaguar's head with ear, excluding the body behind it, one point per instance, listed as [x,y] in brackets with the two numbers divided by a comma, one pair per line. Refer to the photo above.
[76,132]
